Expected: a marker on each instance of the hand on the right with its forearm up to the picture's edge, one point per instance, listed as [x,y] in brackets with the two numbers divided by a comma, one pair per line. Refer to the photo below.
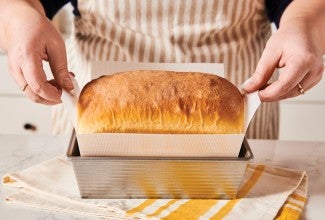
[297,49]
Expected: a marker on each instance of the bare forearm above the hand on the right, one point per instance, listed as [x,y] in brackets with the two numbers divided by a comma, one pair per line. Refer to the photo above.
[309,15]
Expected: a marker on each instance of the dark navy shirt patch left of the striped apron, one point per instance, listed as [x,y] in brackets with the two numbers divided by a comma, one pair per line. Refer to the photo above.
[51,7]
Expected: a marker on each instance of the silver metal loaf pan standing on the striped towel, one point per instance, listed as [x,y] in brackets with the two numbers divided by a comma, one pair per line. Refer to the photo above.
[158,177]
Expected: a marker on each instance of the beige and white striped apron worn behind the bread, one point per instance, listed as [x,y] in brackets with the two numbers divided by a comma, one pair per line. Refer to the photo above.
[233,32]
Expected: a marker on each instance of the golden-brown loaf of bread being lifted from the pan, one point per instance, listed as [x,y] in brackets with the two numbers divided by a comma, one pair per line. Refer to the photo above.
[152,101]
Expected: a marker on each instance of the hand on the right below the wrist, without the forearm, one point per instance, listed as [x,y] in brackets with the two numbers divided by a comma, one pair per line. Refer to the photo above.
[294,50]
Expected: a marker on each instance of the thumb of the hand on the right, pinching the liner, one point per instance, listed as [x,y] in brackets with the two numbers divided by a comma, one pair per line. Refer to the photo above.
[264,70]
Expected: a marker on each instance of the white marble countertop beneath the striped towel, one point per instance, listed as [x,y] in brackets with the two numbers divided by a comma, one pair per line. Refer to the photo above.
[21,151]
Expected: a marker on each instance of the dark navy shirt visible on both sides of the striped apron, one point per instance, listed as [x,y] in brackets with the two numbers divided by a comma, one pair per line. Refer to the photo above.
[274,8]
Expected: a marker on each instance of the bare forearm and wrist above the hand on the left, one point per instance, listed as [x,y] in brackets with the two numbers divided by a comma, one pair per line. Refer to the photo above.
[8,11]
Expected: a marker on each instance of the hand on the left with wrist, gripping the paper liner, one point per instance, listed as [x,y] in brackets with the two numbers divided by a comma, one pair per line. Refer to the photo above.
[29,37]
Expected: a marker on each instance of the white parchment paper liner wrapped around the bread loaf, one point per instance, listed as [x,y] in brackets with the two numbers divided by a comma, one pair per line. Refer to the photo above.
[157,145]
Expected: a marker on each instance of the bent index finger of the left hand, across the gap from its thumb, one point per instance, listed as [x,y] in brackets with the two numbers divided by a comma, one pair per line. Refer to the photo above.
[34,74]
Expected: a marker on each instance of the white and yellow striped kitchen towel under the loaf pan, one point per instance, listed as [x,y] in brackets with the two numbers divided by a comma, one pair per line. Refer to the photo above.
[266,192]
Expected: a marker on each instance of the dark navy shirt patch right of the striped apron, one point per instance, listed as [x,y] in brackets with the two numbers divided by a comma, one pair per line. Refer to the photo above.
[275,9]
